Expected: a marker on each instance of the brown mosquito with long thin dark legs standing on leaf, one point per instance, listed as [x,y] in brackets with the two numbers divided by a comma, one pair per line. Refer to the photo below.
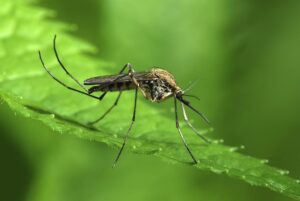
[156,85]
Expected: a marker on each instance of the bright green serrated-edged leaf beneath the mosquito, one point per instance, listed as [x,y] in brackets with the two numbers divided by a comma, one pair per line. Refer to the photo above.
[30,91]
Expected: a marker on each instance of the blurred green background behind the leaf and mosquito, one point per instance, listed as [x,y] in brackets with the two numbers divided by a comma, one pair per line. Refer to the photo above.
[246,57]
